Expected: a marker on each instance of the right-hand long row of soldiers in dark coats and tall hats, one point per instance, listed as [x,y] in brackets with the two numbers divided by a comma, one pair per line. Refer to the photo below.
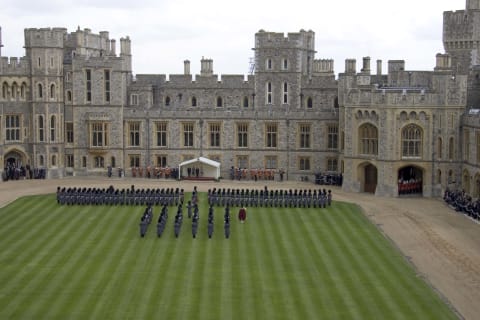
[270,198]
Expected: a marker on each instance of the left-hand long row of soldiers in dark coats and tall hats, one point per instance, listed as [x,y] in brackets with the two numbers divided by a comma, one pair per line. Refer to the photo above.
[112,196]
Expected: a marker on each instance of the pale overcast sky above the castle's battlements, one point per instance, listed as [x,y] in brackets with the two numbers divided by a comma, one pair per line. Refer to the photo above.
[164,33]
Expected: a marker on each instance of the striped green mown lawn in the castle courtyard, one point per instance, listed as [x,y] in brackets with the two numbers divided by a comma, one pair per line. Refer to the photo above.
[89,262]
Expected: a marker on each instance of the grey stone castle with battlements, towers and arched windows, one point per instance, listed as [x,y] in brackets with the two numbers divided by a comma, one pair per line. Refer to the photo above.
[72,106]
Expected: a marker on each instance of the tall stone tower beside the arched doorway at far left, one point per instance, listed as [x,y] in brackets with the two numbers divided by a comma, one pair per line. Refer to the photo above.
[45,51]
